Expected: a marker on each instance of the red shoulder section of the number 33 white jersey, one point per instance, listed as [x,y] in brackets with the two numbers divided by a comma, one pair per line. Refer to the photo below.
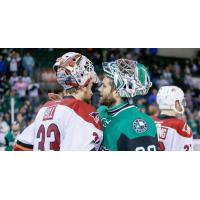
[82,109]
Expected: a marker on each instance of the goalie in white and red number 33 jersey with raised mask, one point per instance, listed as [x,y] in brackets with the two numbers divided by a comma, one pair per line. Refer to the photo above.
[70,123]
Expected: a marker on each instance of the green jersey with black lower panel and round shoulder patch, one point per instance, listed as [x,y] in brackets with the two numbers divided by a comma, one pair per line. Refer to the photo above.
[125,128]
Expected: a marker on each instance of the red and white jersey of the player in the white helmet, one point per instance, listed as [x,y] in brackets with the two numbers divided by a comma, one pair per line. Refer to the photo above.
[173,134]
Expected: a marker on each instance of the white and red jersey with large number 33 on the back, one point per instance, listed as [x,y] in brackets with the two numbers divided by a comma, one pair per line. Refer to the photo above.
[68,124]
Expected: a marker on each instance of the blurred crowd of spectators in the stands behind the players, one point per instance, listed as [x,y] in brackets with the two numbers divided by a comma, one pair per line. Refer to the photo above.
[18,82]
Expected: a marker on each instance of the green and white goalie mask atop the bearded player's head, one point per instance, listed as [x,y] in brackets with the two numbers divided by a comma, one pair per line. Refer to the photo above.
[130,77]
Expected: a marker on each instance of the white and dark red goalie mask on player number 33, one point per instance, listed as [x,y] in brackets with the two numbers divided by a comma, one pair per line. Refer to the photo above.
[74,70]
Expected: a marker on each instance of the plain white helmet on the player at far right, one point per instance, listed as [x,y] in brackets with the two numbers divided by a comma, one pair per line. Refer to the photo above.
[167,97]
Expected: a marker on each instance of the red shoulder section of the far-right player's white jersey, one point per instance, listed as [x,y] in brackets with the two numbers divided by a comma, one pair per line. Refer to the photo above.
[179,125]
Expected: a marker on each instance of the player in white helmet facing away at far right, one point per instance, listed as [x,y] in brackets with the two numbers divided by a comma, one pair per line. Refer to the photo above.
[173,133]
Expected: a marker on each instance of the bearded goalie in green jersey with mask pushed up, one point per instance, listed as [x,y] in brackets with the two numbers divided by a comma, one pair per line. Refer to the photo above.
[125,127]
